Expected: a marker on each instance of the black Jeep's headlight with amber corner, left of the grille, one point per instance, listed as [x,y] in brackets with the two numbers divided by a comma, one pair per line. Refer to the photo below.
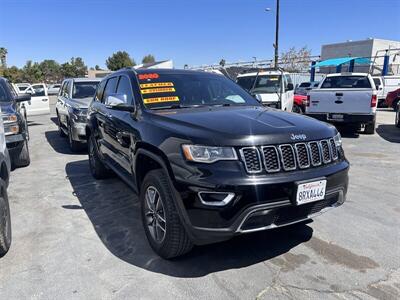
[208,154]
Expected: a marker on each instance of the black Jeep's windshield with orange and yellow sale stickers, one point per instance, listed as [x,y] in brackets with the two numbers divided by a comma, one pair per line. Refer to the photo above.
[187,90]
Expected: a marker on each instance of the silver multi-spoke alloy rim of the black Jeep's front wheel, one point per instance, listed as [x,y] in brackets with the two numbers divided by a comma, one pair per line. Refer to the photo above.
[155,214]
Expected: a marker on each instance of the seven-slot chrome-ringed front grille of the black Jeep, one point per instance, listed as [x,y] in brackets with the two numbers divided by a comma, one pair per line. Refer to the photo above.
[288,157]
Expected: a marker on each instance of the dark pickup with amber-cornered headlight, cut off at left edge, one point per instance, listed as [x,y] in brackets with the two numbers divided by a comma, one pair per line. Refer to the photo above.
[15,125]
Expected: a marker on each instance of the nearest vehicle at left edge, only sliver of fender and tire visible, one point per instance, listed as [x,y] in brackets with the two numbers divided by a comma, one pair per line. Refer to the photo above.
[5,219]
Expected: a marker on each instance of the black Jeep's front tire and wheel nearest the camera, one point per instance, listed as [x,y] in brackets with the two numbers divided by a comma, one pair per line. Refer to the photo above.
[160,217]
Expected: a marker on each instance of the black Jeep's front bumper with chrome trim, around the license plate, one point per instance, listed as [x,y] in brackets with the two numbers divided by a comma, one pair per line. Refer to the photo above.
[260,203]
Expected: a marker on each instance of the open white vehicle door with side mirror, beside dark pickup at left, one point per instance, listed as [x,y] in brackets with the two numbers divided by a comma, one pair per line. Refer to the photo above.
[39,104]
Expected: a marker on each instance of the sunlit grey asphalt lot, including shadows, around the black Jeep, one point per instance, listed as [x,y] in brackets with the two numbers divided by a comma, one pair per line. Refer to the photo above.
[78,238]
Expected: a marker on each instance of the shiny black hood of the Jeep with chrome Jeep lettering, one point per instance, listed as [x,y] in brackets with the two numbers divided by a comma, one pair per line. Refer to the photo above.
[242,125]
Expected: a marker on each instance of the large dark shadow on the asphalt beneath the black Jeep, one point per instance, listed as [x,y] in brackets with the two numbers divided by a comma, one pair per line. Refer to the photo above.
[114,211]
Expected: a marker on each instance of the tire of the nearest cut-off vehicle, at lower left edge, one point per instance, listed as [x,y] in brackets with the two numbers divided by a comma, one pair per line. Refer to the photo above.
[5,220]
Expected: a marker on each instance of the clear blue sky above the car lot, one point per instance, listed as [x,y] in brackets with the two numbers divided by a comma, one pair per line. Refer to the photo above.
[188,32]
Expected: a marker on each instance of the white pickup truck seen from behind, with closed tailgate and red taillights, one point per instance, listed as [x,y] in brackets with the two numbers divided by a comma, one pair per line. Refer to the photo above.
[349,98]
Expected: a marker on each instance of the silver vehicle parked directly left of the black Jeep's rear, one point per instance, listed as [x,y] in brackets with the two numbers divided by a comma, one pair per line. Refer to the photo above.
[71,108]
